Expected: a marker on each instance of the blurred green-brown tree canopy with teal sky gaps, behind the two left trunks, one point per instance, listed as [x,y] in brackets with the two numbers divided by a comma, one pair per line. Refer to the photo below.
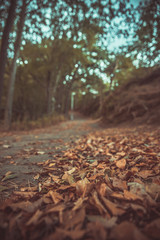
[85,47]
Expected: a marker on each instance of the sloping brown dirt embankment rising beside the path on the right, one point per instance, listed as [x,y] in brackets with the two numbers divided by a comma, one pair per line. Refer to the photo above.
[138,101]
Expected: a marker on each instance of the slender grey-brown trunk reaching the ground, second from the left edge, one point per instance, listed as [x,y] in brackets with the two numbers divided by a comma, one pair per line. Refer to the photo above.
[8,110]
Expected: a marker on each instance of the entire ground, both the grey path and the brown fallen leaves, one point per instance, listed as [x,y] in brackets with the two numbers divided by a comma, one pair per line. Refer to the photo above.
[80,180]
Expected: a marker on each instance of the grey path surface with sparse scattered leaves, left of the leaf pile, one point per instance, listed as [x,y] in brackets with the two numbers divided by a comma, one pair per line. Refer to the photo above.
[21,151]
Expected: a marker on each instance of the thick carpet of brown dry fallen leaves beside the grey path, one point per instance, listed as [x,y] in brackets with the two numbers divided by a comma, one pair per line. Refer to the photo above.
[105,186]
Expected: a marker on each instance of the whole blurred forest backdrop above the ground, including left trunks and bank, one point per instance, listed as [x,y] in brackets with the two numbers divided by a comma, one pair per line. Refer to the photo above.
[64,55]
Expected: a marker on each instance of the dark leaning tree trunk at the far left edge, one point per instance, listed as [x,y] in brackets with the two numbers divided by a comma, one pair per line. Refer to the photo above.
[5,40]
